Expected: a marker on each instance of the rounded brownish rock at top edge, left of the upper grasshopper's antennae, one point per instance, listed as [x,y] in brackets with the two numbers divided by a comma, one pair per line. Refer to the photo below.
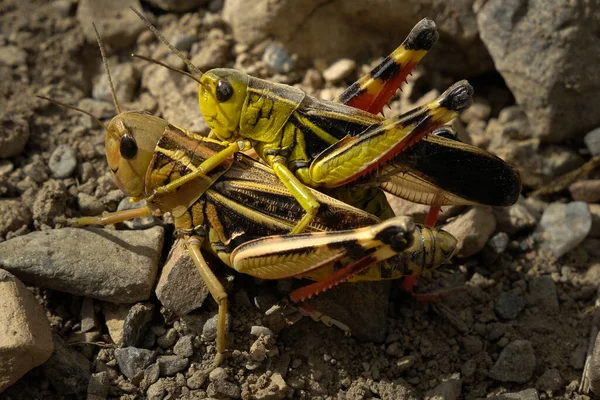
[118,26]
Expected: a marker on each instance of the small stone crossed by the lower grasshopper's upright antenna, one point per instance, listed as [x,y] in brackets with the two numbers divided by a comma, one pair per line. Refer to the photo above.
[125,80]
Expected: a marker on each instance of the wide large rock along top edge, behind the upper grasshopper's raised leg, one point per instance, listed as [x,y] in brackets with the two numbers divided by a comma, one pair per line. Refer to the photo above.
[333,30]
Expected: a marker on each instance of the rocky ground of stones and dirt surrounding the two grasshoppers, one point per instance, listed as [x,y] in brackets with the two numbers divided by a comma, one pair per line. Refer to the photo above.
[126,320]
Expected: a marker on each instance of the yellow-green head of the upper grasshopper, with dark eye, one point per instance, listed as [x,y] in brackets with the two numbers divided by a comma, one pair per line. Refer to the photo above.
[221,95]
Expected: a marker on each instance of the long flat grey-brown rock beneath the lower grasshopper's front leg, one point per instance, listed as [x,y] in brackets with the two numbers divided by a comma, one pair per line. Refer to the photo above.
[117,266]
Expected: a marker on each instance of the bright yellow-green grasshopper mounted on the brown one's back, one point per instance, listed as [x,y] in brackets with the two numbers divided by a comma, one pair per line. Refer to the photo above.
[311,142]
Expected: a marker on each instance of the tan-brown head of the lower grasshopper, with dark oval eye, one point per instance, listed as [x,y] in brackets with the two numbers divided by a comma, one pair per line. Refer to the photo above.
[131,138]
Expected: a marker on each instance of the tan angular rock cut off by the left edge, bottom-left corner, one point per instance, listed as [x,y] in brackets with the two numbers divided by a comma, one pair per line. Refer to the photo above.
[25,335]
